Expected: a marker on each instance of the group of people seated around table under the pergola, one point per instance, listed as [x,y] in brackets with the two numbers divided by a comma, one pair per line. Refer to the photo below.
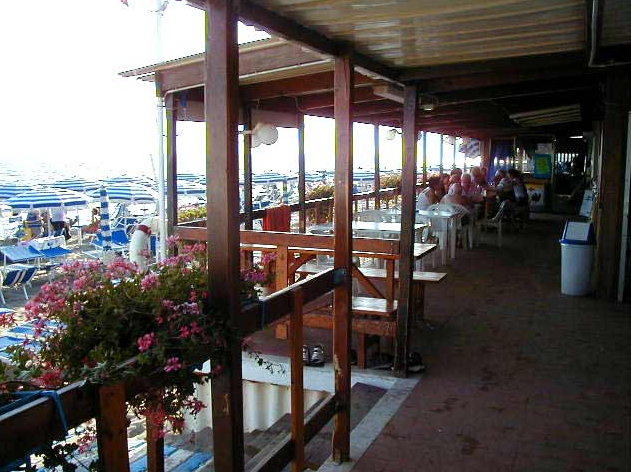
[469,189]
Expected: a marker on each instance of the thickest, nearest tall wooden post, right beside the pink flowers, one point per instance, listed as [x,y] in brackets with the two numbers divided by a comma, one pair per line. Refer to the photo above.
[221,108]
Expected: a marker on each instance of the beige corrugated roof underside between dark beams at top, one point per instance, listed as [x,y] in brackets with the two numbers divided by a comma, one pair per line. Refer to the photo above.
[409,33]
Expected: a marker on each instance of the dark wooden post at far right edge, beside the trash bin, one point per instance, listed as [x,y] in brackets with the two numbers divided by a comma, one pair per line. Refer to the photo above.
[611,185]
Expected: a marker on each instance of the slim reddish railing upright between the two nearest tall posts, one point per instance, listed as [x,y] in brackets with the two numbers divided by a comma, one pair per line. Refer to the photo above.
[297,389]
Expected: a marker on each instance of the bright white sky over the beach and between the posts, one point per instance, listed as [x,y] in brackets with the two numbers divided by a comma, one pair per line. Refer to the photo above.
[66,110]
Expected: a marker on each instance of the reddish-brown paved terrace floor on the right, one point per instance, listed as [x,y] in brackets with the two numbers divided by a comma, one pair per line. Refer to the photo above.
[520,377]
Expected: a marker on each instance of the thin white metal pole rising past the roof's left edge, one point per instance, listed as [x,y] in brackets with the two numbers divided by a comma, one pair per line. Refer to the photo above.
[162,238]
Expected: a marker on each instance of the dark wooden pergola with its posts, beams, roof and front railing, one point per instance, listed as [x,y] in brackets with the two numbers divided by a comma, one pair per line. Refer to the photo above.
[478,62]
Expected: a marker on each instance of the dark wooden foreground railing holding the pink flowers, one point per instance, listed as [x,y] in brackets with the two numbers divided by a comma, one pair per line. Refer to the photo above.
[37,424]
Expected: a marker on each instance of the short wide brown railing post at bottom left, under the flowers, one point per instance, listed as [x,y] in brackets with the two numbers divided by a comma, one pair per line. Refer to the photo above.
[111,429]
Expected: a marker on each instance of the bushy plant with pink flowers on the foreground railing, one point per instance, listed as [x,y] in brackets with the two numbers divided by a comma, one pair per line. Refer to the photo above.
[93,319]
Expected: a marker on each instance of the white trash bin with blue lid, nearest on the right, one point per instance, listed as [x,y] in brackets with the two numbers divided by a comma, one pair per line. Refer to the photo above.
[577,258]
